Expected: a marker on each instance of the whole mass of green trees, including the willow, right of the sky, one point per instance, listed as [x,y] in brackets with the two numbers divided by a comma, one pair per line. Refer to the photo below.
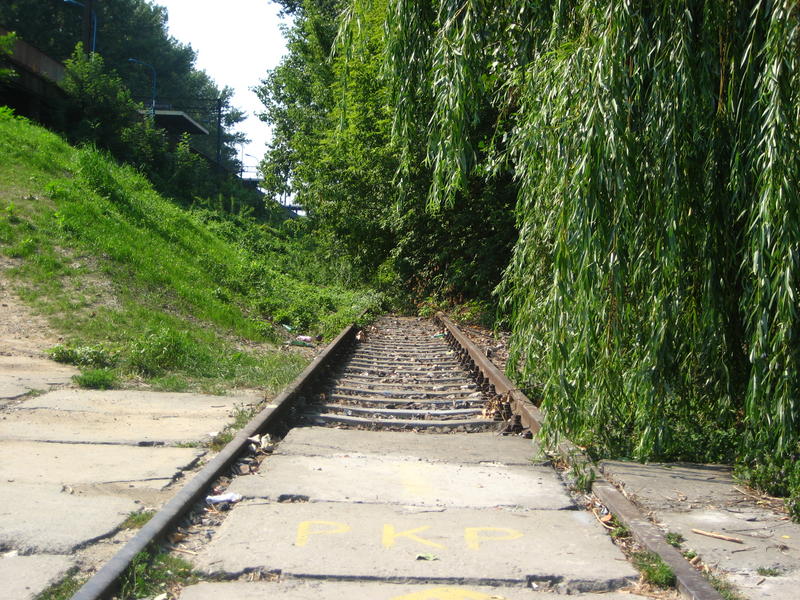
[647,154]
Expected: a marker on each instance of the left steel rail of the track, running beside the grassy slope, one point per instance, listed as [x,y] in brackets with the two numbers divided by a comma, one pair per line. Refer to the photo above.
[106,580]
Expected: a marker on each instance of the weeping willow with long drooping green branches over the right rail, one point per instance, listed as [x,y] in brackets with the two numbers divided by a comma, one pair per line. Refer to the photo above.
[653,289]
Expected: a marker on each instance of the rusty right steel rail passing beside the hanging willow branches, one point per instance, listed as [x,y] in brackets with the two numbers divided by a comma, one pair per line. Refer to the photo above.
[689,581]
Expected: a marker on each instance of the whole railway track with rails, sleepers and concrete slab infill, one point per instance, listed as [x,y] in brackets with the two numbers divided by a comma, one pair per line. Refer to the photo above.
[392,482]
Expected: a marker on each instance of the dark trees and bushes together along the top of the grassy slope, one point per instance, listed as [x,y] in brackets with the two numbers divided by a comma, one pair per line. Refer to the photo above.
[110,99]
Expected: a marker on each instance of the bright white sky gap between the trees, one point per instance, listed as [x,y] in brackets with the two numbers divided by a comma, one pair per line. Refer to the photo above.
[236,42]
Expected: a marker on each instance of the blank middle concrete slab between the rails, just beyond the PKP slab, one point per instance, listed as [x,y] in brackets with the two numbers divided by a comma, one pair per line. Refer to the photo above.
[383,479]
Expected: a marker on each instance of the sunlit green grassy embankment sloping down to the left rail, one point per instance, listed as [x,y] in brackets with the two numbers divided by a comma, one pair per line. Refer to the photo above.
[143,290]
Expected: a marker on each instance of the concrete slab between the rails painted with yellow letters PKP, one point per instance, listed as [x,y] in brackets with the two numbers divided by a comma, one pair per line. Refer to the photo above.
[567,549]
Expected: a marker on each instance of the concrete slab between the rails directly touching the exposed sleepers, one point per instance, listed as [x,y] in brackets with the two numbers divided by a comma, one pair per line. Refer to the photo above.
[477,448]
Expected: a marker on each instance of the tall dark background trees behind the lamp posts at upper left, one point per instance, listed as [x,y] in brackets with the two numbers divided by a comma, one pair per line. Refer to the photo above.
[134,29]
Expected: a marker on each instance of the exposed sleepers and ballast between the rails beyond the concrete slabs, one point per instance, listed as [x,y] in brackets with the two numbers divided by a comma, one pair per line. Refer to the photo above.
[403,374]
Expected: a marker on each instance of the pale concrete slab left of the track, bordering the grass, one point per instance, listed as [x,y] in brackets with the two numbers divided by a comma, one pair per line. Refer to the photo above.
[118,417]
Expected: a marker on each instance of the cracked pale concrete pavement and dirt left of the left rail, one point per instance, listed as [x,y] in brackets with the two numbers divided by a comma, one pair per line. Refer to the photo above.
[75,463]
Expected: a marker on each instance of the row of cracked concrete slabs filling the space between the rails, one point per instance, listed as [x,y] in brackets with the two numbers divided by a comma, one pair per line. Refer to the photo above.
[400,515]
